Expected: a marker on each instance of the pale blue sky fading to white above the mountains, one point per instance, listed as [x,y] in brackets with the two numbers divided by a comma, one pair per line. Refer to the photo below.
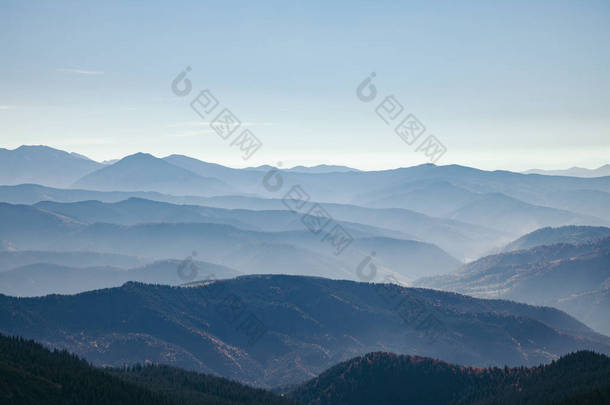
[504,85]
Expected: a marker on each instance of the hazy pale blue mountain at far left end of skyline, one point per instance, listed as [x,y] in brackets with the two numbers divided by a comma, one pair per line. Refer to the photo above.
[43,165]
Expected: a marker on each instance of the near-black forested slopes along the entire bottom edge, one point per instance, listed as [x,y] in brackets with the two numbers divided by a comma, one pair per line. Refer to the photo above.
[32,374]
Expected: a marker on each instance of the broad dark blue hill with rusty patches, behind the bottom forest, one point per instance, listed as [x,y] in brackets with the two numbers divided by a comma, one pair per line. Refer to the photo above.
[275,330]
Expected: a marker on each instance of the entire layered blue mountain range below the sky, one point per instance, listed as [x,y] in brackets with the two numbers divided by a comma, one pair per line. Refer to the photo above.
[175,262]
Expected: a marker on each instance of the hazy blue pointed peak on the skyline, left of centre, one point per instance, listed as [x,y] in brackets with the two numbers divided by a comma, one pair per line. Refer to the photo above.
[144,172]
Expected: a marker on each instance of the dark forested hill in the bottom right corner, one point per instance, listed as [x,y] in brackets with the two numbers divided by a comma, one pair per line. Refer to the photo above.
[384,378]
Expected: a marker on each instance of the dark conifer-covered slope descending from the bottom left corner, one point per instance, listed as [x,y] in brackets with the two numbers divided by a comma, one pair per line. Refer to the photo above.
[31,374]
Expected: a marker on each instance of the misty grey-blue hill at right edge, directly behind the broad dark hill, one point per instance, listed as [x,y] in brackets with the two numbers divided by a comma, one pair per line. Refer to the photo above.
[574,278]
